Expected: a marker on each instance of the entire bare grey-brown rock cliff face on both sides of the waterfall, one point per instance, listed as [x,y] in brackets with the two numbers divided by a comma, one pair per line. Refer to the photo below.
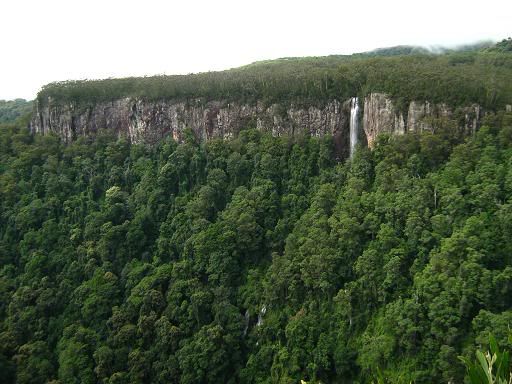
[145,121]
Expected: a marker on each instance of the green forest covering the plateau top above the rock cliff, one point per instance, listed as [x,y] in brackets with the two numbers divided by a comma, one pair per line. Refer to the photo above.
[406,73]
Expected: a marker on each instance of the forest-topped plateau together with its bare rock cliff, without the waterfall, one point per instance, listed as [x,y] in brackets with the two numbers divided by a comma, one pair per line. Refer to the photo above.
[287,97]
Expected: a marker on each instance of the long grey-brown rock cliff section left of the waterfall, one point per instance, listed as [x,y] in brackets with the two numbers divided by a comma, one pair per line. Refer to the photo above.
[145,121]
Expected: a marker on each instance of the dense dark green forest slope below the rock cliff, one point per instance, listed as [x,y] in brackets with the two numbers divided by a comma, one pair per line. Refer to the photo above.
[130,264]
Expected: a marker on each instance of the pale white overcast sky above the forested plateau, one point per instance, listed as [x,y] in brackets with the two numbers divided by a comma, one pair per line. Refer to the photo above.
[50,40]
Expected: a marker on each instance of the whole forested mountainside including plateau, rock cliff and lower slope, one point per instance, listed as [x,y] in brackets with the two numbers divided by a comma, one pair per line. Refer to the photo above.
[264,258]
